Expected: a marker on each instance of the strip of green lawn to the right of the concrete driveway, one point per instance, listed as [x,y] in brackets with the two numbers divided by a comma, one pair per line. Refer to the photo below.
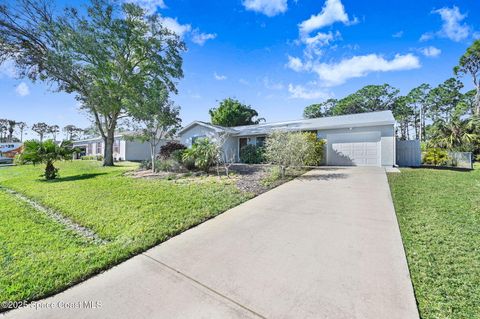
[439,216]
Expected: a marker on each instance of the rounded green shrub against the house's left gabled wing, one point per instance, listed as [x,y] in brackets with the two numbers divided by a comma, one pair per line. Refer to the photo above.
[203,153]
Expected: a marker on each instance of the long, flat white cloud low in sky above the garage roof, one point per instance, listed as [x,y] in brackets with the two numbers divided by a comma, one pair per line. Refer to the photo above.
[332,74]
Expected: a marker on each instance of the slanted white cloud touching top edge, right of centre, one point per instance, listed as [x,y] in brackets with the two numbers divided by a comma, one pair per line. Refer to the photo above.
[333,11]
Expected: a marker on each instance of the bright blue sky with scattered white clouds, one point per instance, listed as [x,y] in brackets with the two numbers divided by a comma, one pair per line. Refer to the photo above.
[282,55]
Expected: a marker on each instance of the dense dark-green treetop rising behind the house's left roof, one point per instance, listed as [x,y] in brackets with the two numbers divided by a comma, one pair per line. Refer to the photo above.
[232,112]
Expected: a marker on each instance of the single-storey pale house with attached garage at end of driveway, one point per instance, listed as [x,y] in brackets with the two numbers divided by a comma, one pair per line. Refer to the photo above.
[365,139]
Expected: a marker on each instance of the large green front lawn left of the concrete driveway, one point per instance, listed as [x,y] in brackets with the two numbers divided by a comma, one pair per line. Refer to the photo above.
[40,256]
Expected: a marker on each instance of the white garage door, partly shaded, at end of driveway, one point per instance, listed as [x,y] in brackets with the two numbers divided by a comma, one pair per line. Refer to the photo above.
[354,149]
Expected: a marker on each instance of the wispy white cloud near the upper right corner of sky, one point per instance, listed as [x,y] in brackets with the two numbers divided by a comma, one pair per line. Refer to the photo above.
[452,27]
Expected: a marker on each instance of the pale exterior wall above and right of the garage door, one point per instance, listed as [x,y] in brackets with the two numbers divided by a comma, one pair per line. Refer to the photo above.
[387,142]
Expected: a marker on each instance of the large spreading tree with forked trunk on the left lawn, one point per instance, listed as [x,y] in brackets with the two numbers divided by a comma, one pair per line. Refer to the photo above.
[99,54]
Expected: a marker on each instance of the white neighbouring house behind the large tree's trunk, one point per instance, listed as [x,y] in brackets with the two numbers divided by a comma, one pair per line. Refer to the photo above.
[124,149]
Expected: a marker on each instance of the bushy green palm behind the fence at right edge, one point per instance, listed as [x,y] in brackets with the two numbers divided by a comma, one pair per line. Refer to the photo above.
[456,134]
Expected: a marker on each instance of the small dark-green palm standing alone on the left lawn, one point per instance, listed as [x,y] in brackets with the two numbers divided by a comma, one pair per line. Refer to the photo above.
[47,152]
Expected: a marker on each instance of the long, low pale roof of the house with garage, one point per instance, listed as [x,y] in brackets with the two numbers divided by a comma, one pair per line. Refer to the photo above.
[322,123]
